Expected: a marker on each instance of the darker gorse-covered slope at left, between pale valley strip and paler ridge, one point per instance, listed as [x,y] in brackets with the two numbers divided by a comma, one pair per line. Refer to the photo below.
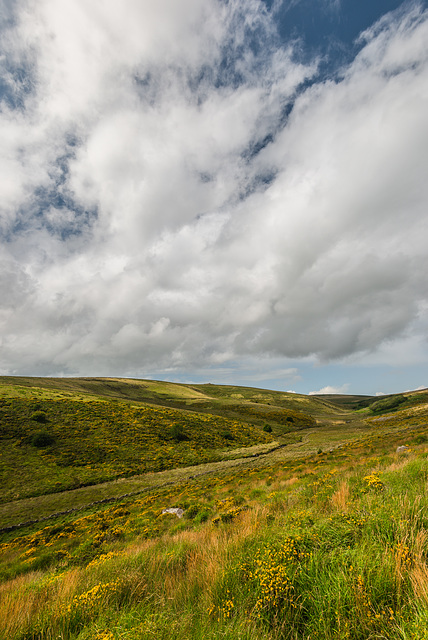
[81,442]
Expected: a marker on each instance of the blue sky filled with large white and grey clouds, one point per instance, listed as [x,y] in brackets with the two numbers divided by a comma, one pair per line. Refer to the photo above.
[225,191]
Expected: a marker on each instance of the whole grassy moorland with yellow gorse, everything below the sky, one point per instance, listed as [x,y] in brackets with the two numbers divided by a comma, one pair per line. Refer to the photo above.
[299,518]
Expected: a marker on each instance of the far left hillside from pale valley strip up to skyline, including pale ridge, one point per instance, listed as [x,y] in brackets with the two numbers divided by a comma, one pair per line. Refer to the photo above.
[59,434]
